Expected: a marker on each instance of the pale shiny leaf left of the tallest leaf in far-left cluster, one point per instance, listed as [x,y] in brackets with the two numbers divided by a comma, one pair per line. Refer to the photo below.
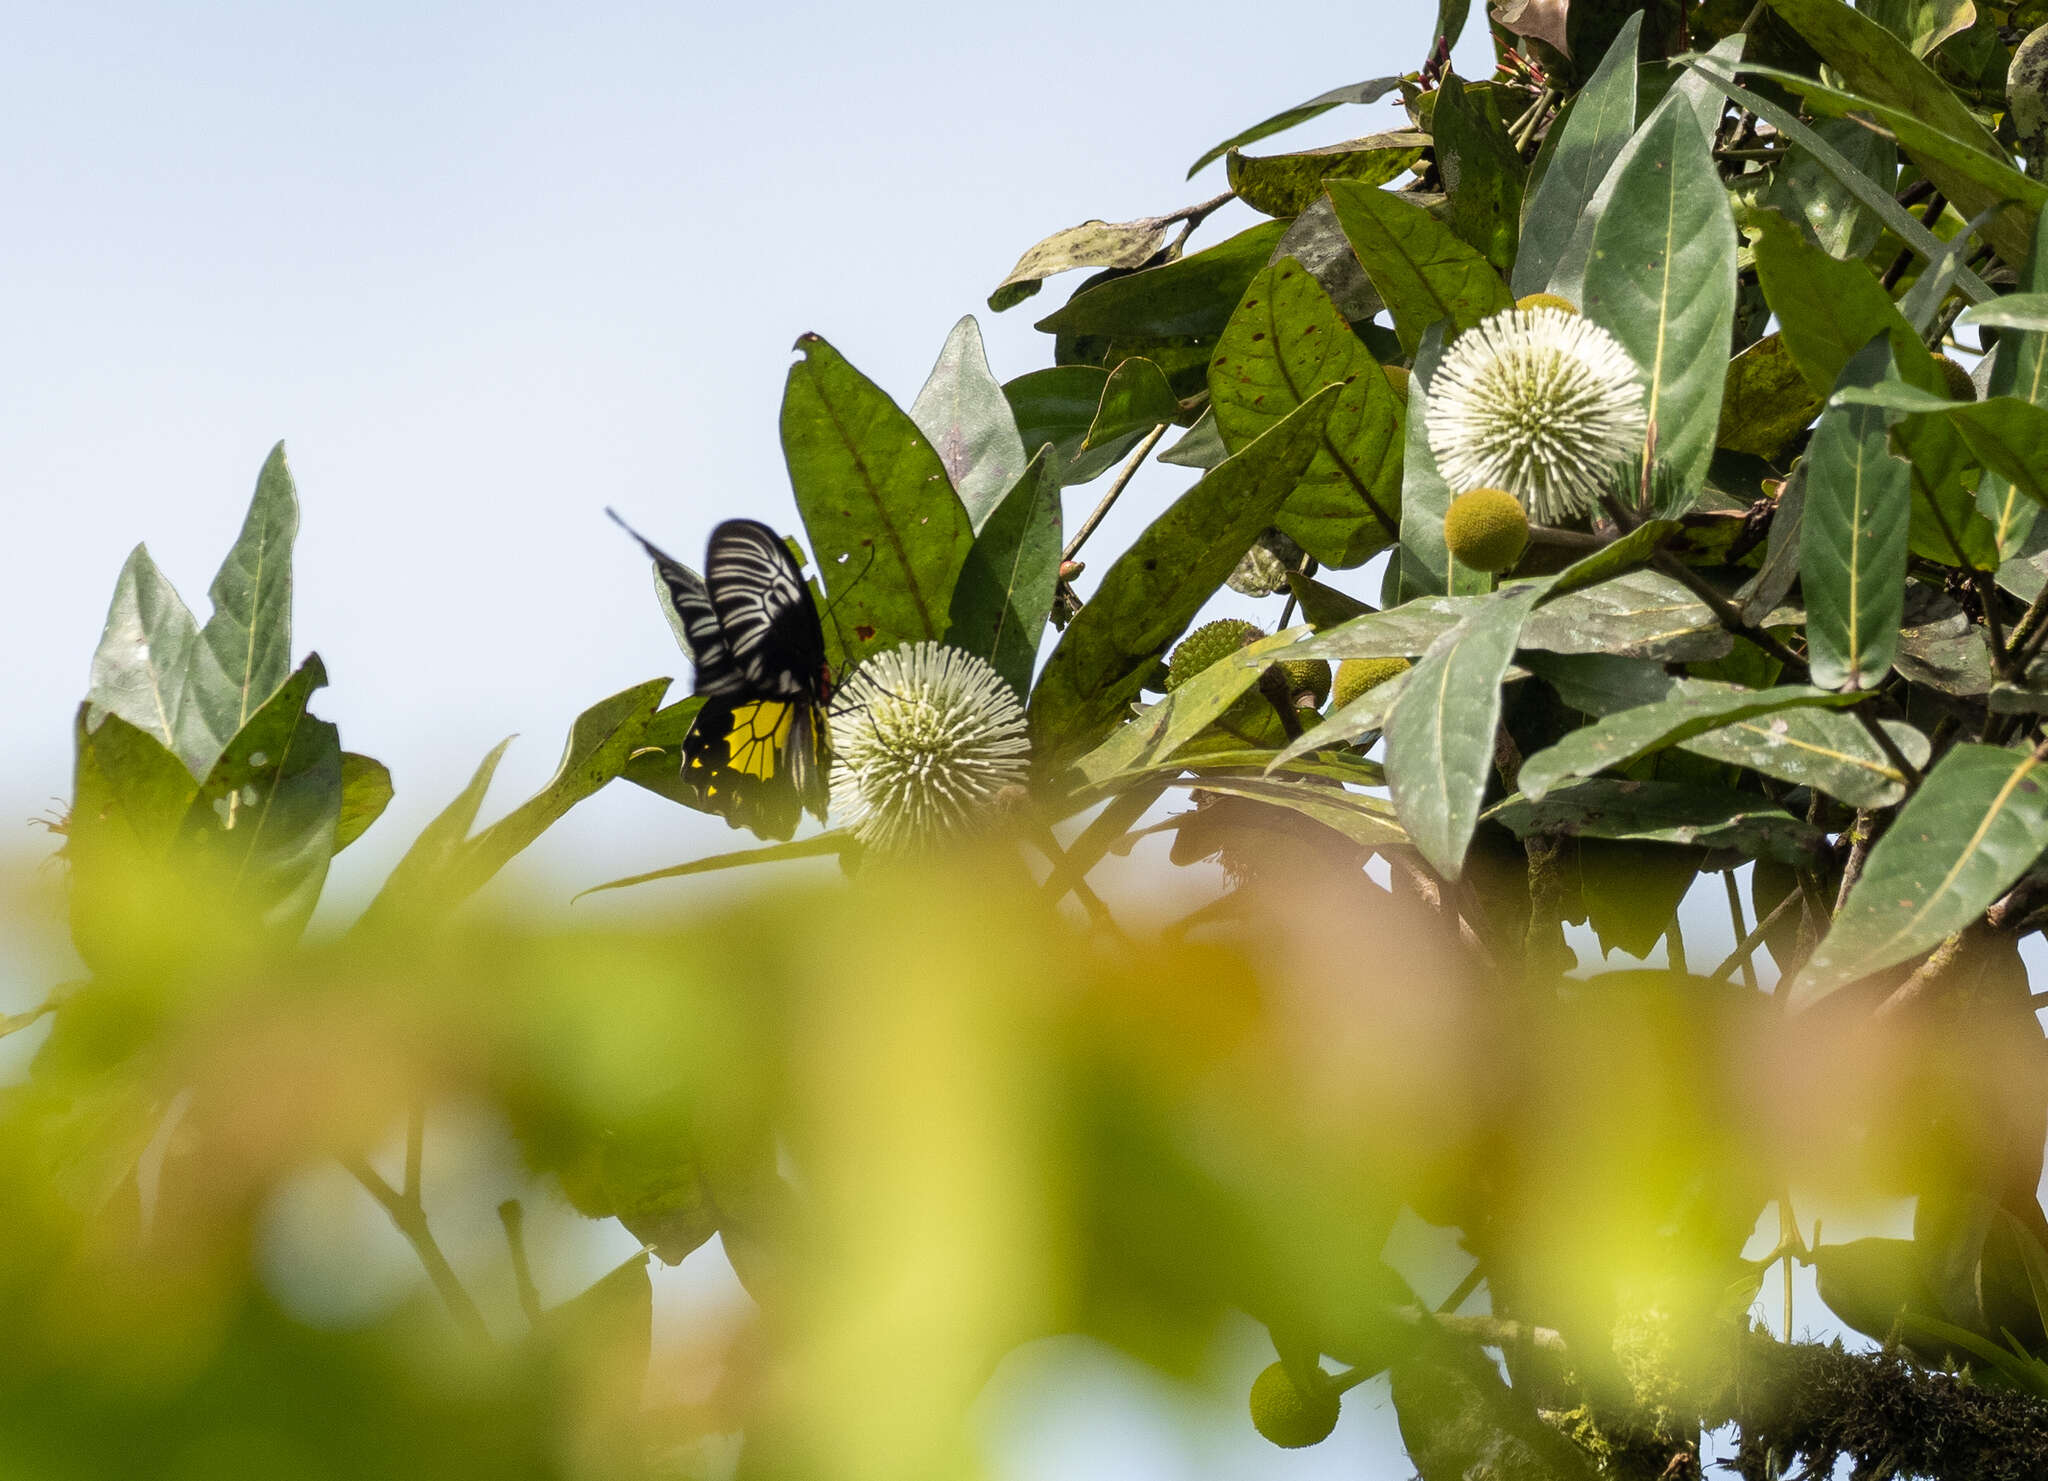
[138,671]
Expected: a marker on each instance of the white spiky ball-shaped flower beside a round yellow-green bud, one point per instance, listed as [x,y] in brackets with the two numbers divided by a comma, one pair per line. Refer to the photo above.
[1537,403]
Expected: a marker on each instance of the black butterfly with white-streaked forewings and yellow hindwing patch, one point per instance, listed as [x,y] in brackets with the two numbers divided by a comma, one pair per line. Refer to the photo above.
[757,753]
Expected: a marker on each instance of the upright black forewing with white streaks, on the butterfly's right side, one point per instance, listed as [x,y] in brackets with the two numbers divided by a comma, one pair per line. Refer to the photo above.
[765,611]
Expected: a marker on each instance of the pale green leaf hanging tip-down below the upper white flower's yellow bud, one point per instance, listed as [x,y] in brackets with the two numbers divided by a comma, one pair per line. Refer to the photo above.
[1441,728]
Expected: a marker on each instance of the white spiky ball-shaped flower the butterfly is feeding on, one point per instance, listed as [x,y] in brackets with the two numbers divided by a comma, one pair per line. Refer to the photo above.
[923,738]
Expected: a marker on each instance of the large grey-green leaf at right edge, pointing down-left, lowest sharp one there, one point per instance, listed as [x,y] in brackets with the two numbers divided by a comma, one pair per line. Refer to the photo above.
[1975,824]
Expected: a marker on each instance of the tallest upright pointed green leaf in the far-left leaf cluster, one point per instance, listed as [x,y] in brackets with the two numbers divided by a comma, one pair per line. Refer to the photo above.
[245,650]
